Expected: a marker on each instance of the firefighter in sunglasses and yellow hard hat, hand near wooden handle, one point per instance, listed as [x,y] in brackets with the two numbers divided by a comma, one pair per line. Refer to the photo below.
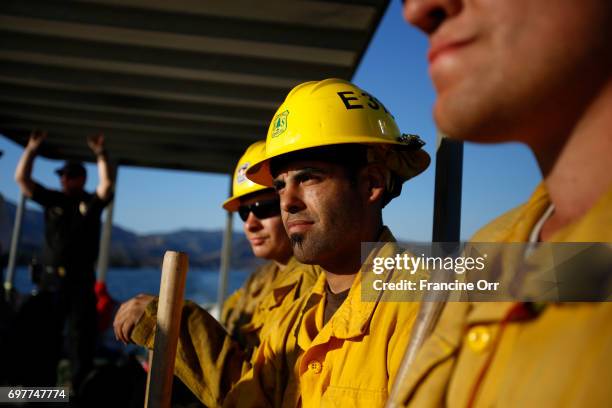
[211,357]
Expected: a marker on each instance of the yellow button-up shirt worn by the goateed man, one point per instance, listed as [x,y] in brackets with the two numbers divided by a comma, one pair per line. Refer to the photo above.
[349,362]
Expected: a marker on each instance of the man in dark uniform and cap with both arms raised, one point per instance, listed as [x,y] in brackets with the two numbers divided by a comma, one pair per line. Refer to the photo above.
[72,234]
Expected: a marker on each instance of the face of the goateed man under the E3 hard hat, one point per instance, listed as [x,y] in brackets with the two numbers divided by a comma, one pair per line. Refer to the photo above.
[321,210]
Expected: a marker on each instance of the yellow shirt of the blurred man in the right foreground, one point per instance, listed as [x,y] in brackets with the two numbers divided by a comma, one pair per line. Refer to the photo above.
[487,355]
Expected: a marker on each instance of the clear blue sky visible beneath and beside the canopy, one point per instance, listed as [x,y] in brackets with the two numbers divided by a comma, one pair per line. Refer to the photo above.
[394,69]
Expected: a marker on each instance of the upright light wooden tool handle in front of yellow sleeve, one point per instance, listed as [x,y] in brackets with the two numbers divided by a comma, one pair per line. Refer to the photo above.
[169,309]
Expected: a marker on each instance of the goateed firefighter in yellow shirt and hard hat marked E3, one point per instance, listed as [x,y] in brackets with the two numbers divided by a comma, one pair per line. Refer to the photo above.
[336,157]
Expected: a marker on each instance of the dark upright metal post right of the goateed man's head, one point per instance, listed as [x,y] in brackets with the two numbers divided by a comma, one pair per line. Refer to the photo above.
[447,196]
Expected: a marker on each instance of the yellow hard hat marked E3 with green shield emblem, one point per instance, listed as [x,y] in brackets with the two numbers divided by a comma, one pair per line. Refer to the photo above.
[332,112]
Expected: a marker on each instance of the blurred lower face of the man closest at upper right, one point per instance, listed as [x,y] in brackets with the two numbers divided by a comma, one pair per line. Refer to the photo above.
[514,69]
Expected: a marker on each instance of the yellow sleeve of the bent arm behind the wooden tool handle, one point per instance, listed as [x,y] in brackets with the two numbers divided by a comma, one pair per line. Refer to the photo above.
[208,361]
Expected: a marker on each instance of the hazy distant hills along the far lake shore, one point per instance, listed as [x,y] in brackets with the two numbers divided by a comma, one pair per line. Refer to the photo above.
[131,249]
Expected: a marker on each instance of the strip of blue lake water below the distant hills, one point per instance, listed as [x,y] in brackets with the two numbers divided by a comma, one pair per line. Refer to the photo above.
[124,283]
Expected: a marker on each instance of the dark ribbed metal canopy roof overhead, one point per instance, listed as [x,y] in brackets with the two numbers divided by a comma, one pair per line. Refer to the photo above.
[182,84]
